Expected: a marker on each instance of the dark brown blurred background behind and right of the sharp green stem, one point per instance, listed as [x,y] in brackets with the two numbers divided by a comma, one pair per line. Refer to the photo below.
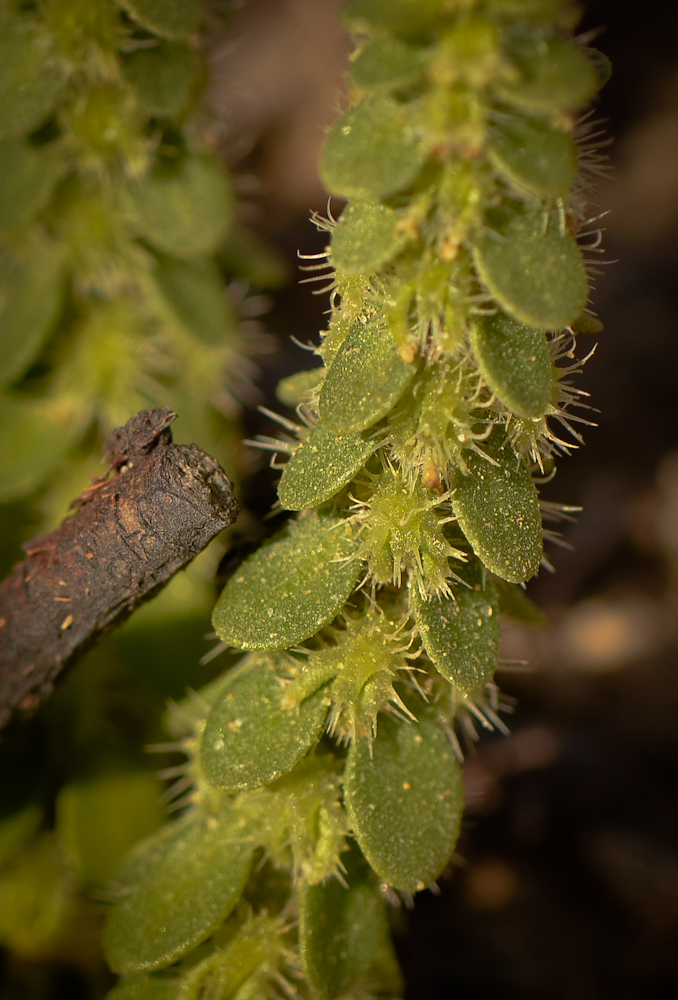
[566,880]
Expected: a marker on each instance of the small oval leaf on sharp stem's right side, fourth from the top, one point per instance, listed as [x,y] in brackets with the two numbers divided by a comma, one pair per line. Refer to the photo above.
[515,362]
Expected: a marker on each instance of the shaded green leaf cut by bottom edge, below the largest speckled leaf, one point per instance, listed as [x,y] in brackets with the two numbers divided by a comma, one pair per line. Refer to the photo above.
[340,930]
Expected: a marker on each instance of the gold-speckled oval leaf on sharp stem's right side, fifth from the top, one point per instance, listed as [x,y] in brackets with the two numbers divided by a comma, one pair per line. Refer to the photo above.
[498,510]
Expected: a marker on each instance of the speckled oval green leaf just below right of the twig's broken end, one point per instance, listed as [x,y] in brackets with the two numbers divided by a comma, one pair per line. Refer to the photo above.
[292,586]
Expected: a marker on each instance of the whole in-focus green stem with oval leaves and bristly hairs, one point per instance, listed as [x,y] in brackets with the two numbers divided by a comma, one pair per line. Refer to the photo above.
[459,284]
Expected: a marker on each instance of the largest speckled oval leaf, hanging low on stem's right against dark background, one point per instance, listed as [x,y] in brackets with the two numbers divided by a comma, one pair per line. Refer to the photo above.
[404,797]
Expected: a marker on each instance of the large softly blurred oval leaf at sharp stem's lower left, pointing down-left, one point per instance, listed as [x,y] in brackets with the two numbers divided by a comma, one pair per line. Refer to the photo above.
[180,884]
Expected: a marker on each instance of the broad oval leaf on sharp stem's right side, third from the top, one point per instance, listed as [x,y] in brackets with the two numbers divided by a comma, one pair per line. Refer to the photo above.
[533,269]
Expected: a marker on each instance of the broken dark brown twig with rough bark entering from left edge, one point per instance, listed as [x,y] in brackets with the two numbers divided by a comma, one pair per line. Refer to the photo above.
[158,506]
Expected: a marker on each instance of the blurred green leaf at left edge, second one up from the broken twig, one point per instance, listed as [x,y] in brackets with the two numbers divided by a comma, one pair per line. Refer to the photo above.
[29,310]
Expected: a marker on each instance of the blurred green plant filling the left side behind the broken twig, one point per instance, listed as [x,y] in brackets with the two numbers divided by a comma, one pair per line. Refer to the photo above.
[125,282]
